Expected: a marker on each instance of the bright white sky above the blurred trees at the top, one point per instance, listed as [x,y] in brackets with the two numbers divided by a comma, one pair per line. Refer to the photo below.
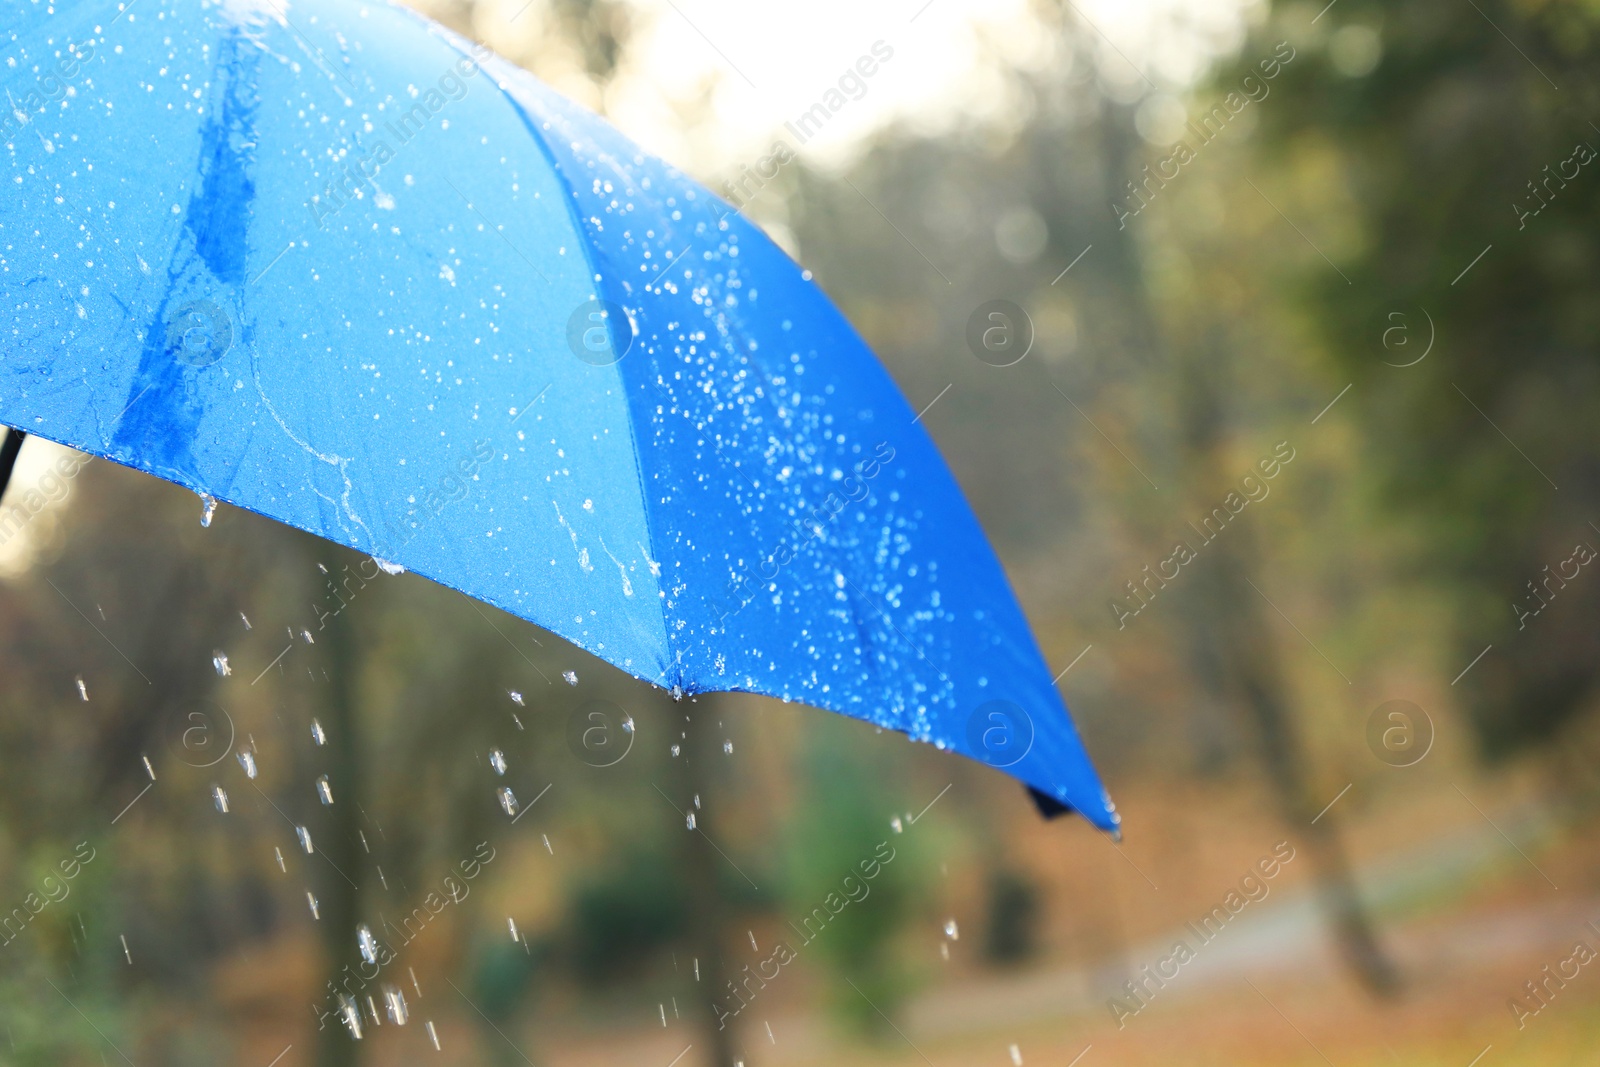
[764,63]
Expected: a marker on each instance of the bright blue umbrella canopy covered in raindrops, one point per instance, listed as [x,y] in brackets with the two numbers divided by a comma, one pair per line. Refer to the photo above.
[334,265]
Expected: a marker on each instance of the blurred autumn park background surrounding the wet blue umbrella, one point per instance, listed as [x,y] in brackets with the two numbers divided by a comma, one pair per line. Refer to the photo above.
[1356,246]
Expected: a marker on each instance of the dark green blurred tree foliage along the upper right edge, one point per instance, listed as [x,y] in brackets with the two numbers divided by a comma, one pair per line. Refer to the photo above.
[1452,142]
